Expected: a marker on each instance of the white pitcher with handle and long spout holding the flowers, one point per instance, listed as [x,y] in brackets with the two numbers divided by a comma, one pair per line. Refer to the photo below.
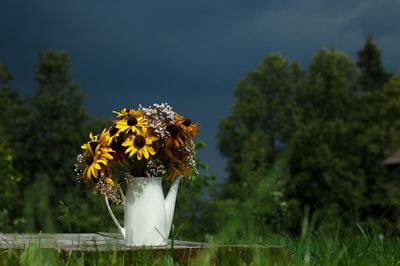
[147,215]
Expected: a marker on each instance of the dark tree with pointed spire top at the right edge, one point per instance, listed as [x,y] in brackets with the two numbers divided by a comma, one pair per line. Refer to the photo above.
[378,100]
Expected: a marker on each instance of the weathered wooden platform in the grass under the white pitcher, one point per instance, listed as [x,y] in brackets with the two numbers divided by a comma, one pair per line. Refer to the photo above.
[182,251]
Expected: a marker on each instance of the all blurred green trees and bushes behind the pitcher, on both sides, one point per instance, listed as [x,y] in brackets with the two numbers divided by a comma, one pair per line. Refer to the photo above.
[333,123]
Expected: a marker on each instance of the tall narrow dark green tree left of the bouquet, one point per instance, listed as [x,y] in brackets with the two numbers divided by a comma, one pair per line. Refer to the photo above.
[51,141]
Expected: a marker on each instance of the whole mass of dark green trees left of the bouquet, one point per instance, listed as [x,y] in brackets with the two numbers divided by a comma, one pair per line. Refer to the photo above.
[44,133]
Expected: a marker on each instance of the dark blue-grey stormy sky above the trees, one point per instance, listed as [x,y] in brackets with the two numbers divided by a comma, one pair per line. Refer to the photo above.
[189,54]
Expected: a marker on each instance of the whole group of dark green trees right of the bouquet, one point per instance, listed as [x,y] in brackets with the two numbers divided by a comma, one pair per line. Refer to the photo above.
[340,118]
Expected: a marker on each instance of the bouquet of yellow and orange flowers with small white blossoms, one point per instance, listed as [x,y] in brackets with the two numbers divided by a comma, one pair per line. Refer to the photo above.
[143,142]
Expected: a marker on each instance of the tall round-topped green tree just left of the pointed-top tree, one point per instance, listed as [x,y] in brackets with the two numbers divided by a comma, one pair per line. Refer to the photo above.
[324,168]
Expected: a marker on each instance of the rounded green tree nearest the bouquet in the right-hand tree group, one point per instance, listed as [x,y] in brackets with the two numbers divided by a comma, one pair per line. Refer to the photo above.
[261,123]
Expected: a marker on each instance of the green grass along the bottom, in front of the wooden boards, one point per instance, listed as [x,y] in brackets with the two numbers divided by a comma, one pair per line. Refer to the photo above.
[363,248]
